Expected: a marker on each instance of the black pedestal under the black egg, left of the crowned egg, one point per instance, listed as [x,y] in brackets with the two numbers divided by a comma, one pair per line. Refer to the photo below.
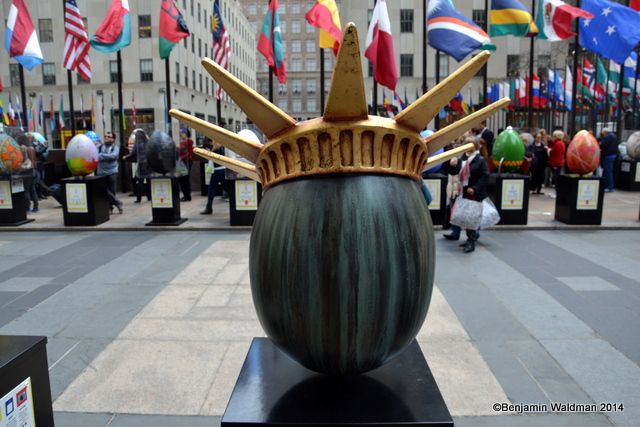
[165,201]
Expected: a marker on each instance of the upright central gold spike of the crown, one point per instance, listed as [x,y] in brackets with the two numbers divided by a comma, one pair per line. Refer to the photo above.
[347,99]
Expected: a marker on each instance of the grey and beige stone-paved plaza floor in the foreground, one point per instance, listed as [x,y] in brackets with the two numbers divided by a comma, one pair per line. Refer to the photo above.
[151,328]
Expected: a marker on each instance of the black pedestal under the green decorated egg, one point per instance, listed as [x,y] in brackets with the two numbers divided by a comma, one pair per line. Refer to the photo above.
[510,193]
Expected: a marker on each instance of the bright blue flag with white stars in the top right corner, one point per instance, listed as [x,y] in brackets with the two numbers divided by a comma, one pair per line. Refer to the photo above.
[613,32]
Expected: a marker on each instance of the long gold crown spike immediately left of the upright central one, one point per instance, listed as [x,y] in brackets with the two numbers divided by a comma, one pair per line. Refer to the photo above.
[269,118]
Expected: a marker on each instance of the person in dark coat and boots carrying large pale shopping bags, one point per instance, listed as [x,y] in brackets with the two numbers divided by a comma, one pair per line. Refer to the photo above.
[474,173]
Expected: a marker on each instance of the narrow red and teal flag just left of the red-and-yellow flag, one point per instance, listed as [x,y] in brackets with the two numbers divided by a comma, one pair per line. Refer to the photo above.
[270,42]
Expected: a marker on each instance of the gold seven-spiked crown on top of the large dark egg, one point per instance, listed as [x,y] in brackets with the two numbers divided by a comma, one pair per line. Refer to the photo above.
[346,140]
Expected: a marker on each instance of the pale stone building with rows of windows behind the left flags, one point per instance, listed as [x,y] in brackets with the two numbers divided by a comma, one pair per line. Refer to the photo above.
[143,71]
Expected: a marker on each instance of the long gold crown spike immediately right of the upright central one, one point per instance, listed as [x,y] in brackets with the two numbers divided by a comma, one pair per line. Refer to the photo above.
[418,115]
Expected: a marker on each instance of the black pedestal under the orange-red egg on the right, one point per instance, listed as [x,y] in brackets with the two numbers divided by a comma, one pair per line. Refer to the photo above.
[579,200]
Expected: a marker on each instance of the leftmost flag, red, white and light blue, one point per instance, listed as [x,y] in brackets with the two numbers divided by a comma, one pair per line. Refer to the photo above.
[21,40]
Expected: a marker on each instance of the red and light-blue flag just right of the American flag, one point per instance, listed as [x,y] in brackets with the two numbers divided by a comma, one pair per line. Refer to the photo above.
[114,32]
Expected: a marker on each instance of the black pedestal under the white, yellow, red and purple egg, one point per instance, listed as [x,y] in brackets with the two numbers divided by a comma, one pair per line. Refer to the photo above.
[85,201]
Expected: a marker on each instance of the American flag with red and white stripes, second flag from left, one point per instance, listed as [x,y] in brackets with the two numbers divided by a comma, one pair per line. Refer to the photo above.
[76,42]
